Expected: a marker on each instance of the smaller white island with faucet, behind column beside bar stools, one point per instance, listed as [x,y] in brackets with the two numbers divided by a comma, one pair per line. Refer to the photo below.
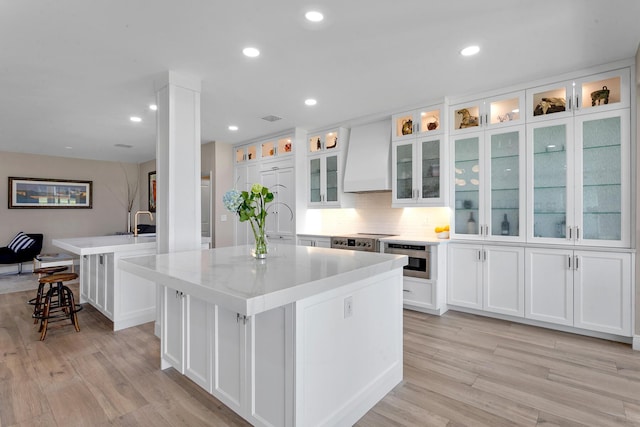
[127,300]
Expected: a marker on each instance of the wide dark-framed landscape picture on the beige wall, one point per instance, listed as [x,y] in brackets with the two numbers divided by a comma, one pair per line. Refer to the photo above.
[32,193]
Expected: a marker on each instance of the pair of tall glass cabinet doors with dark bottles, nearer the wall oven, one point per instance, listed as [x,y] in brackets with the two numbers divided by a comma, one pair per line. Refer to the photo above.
[489,178]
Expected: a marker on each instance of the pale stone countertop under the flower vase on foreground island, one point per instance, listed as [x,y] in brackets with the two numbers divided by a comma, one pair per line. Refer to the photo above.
[233,279]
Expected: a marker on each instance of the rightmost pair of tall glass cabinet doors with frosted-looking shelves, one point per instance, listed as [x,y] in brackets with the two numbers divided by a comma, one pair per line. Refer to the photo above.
[580,174]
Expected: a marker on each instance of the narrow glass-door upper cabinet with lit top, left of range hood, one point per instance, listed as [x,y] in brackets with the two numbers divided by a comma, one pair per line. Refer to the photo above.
[325,169]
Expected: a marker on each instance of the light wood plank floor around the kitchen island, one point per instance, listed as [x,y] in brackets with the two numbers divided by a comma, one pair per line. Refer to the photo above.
[459,370]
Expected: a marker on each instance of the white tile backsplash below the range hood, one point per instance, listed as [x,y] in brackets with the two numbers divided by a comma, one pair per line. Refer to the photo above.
[372,213]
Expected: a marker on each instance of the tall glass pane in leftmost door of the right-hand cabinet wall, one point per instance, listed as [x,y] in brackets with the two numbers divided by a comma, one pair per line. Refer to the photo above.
[467,185]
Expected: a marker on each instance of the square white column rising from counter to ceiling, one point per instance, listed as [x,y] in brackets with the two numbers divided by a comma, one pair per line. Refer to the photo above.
[178,163]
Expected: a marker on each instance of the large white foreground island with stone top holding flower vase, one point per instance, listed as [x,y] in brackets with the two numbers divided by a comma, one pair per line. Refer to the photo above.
[310,336]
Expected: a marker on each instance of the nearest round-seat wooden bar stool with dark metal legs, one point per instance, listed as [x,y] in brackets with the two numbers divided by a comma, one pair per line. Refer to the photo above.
[58,303]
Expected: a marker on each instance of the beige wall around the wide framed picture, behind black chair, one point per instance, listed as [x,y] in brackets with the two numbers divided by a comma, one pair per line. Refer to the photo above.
[109,212]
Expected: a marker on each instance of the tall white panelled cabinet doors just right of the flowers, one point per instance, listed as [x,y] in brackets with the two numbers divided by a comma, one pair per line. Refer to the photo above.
[280,222]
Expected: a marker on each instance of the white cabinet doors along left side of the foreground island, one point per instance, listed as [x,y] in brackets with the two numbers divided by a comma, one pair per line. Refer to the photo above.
[229,354]
